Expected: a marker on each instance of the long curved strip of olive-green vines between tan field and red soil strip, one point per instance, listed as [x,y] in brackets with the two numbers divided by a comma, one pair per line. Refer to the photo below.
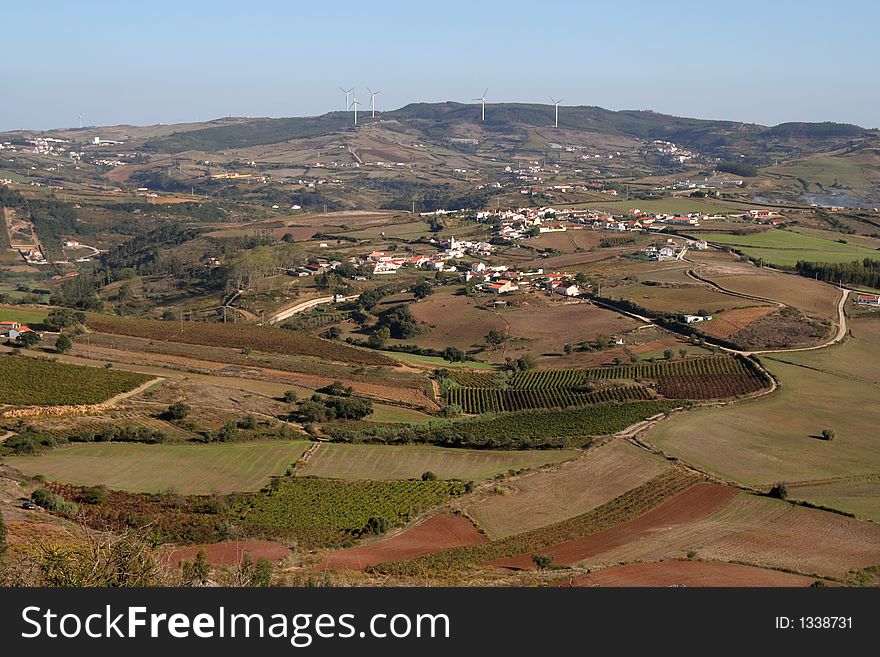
[631,504]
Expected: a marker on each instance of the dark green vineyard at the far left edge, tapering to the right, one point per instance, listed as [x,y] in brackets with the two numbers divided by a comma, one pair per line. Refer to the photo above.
[44,382]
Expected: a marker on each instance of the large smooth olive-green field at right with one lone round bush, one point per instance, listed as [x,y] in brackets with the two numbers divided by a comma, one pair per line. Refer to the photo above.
[776,438]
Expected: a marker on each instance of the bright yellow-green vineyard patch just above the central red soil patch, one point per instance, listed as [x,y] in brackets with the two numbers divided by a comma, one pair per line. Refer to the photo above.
[330,512]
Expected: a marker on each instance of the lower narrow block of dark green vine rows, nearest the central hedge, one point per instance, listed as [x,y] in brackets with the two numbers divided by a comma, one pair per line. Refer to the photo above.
[494,400]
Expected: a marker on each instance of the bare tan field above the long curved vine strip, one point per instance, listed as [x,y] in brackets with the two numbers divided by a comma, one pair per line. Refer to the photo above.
[542,498]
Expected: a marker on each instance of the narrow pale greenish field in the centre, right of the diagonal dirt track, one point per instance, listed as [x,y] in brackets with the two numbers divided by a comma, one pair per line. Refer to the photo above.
[381,462]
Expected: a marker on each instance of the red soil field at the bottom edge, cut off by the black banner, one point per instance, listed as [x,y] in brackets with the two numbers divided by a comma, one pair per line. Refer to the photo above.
[689,573]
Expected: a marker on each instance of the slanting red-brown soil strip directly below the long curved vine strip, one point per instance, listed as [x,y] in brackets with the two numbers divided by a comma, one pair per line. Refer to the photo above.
[692,504]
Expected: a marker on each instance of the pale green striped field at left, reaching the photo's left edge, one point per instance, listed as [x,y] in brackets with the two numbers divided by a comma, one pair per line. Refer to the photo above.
[188,469]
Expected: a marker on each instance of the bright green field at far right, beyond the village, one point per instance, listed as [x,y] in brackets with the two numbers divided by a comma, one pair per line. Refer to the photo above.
[786,247]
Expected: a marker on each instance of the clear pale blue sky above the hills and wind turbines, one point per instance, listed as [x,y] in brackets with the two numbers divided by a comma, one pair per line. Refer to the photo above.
[167,62]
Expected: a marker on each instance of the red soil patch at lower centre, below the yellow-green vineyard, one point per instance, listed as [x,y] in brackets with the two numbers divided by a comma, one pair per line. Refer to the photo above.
[434,534]
